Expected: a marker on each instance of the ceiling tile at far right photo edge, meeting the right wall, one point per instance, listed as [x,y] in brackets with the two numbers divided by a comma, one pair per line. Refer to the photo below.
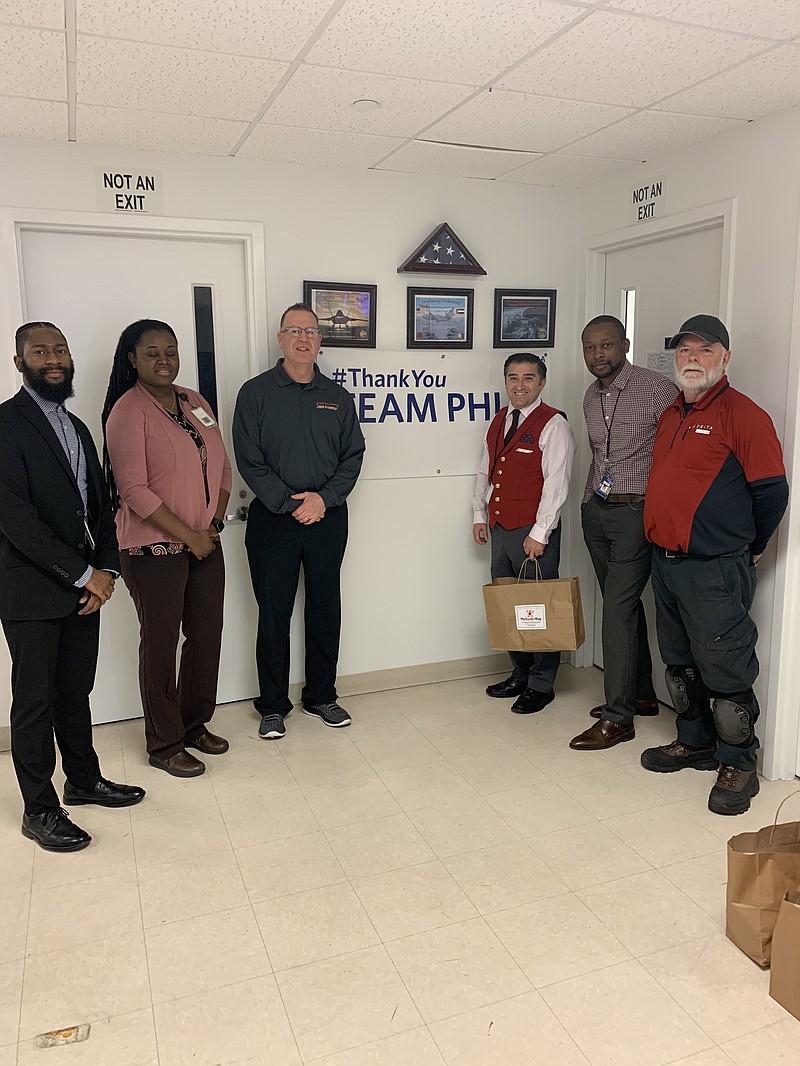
[758,88]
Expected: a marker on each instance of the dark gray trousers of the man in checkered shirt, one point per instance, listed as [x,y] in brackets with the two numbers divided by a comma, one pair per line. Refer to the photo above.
[621,557]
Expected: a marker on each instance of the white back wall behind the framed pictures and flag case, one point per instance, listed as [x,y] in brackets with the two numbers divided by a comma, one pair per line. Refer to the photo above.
[412,576]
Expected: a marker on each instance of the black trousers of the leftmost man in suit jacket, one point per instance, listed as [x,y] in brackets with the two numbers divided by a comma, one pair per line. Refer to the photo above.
[54,665]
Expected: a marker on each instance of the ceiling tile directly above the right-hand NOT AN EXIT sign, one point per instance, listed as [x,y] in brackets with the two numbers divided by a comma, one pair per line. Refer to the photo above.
[649,133]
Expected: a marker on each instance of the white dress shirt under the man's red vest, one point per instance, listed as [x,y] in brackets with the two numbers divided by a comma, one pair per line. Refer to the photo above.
[557,445]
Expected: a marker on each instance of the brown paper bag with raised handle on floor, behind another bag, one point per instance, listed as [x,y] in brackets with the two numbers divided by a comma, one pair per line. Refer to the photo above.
[762,868]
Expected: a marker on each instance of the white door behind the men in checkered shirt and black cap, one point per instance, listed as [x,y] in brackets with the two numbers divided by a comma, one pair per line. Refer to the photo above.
[673,280]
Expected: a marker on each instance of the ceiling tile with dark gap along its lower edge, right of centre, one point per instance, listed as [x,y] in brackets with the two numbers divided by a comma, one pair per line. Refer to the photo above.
[518,121]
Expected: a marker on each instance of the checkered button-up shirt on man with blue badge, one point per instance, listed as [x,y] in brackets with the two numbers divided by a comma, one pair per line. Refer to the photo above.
[621,422]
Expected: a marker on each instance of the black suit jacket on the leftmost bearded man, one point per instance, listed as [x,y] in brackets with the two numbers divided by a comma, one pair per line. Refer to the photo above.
[44,548]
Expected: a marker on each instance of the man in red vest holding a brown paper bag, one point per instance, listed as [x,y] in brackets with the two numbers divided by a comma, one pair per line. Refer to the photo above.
[519,494]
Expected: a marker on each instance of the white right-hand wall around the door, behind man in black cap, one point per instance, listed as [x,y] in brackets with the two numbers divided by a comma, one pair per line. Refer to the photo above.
[759,167]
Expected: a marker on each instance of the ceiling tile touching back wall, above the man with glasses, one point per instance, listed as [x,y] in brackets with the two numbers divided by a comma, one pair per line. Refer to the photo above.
[290,144]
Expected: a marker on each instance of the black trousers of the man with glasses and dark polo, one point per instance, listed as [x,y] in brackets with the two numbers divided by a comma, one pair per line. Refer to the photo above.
[278,546]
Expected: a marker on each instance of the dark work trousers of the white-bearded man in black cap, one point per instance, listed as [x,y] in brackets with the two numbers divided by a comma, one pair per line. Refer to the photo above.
[703,621]
